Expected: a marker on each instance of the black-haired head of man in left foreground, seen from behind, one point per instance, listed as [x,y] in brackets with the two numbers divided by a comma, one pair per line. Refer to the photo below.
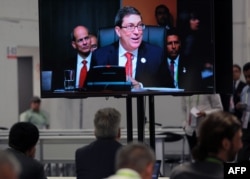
[23,137]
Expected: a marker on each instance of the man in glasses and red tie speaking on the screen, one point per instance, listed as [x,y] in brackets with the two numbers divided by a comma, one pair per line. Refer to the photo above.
[141,60]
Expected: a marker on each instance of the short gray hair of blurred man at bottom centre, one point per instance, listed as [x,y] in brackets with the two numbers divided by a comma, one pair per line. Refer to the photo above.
[136,156]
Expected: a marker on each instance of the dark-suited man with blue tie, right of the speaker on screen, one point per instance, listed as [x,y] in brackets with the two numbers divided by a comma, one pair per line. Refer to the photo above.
[185,70]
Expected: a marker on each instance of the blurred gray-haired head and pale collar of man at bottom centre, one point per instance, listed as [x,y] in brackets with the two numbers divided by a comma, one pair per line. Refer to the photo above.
[135,159]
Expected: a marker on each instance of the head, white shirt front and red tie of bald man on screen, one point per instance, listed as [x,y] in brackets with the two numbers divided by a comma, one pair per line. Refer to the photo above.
[80,41]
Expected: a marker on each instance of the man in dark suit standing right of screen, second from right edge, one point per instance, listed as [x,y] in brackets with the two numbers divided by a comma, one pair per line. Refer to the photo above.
[238,86]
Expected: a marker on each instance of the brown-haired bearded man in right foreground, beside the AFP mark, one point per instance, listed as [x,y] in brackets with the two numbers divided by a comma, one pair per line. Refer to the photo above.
[219,142]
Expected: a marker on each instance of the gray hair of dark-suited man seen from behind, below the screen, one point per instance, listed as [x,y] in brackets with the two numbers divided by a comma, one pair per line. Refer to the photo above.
[107,123]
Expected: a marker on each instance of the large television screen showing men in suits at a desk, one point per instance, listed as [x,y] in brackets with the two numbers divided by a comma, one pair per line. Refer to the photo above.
[175,54]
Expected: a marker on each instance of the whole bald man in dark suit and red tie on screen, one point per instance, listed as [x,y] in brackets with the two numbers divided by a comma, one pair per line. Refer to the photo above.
[81,43]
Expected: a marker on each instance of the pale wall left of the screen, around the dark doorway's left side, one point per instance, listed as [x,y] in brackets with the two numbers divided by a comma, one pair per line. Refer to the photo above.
[19,27]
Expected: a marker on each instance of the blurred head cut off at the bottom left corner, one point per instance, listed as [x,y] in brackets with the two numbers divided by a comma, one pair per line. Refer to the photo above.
[9,168]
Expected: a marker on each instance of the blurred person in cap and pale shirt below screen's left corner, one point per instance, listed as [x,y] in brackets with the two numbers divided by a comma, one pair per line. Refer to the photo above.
[35,115]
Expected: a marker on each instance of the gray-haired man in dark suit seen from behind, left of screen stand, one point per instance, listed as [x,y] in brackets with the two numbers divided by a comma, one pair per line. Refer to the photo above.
[97,160]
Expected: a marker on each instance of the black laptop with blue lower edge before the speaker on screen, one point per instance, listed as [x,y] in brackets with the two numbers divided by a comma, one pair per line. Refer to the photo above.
[111,78]
